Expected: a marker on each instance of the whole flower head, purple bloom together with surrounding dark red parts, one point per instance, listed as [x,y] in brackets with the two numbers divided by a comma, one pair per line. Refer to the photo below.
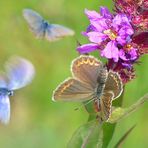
[117,37]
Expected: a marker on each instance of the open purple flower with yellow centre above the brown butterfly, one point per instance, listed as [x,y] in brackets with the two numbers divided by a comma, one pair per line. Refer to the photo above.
[108,33]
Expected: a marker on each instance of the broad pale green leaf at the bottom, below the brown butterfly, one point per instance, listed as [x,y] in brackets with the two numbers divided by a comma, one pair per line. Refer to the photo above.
[89,135]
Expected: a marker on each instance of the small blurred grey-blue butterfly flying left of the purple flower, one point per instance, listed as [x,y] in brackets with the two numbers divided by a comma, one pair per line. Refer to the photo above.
[42,29]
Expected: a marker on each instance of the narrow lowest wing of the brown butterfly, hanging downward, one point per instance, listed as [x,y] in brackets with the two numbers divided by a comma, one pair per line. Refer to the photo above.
[105,105]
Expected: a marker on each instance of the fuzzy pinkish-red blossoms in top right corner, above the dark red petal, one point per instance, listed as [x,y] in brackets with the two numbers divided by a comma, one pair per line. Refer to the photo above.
[136,10]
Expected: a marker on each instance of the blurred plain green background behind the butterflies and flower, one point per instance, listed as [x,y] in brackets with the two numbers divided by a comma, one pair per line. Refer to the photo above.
[36,121]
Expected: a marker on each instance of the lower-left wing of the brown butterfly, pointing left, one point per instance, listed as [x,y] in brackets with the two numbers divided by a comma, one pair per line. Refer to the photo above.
[72,90]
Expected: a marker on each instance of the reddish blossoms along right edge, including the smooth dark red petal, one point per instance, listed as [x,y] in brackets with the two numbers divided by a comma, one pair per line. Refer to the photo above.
[137,10]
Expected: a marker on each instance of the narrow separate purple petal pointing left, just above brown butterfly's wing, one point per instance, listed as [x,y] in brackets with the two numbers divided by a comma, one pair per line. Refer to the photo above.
[86,48]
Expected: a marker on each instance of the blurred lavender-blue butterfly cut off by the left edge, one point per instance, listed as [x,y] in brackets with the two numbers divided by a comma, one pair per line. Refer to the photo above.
[19,73]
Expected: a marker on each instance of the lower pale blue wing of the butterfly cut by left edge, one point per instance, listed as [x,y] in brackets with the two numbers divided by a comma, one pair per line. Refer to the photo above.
[4,109]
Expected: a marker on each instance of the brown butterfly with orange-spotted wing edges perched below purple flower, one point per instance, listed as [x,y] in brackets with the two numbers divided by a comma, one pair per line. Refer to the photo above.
[90,80]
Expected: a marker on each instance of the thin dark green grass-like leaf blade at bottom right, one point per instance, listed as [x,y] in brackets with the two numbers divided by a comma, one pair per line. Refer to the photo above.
[123,138]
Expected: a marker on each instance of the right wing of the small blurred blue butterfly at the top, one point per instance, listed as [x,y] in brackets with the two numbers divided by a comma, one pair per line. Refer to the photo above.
[55,32]
